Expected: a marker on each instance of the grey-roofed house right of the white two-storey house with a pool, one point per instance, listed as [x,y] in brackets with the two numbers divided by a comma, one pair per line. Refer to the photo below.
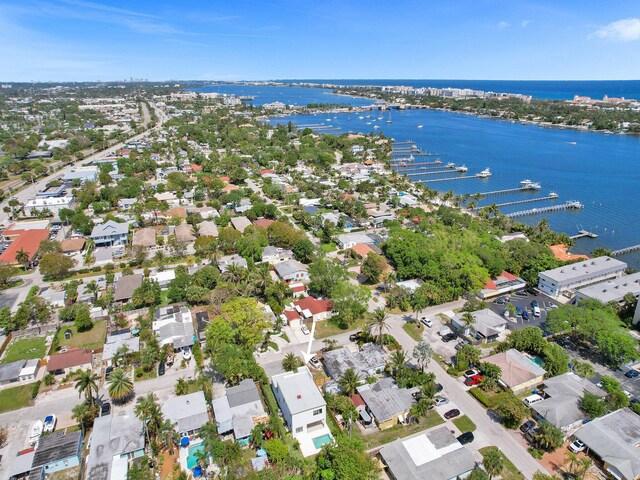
[387,403]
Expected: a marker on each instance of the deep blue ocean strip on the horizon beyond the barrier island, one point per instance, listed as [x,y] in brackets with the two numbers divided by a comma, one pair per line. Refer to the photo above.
[551,89]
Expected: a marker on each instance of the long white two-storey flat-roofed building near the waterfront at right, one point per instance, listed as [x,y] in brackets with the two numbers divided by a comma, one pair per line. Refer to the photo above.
[568,278]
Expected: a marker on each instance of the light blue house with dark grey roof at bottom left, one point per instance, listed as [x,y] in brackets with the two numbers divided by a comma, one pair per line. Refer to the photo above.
[56,451]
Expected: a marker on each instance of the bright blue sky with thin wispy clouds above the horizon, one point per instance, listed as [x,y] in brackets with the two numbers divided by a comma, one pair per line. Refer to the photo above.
[246,39]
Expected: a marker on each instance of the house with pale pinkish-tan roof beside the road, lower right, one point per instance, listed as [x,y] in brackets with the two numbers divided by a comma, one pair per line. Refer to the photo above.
[519,372]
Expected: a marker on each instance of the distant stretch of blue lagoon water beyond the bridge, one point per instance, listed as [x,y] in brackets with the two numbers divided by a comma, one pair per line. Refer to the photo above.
[287,95]
